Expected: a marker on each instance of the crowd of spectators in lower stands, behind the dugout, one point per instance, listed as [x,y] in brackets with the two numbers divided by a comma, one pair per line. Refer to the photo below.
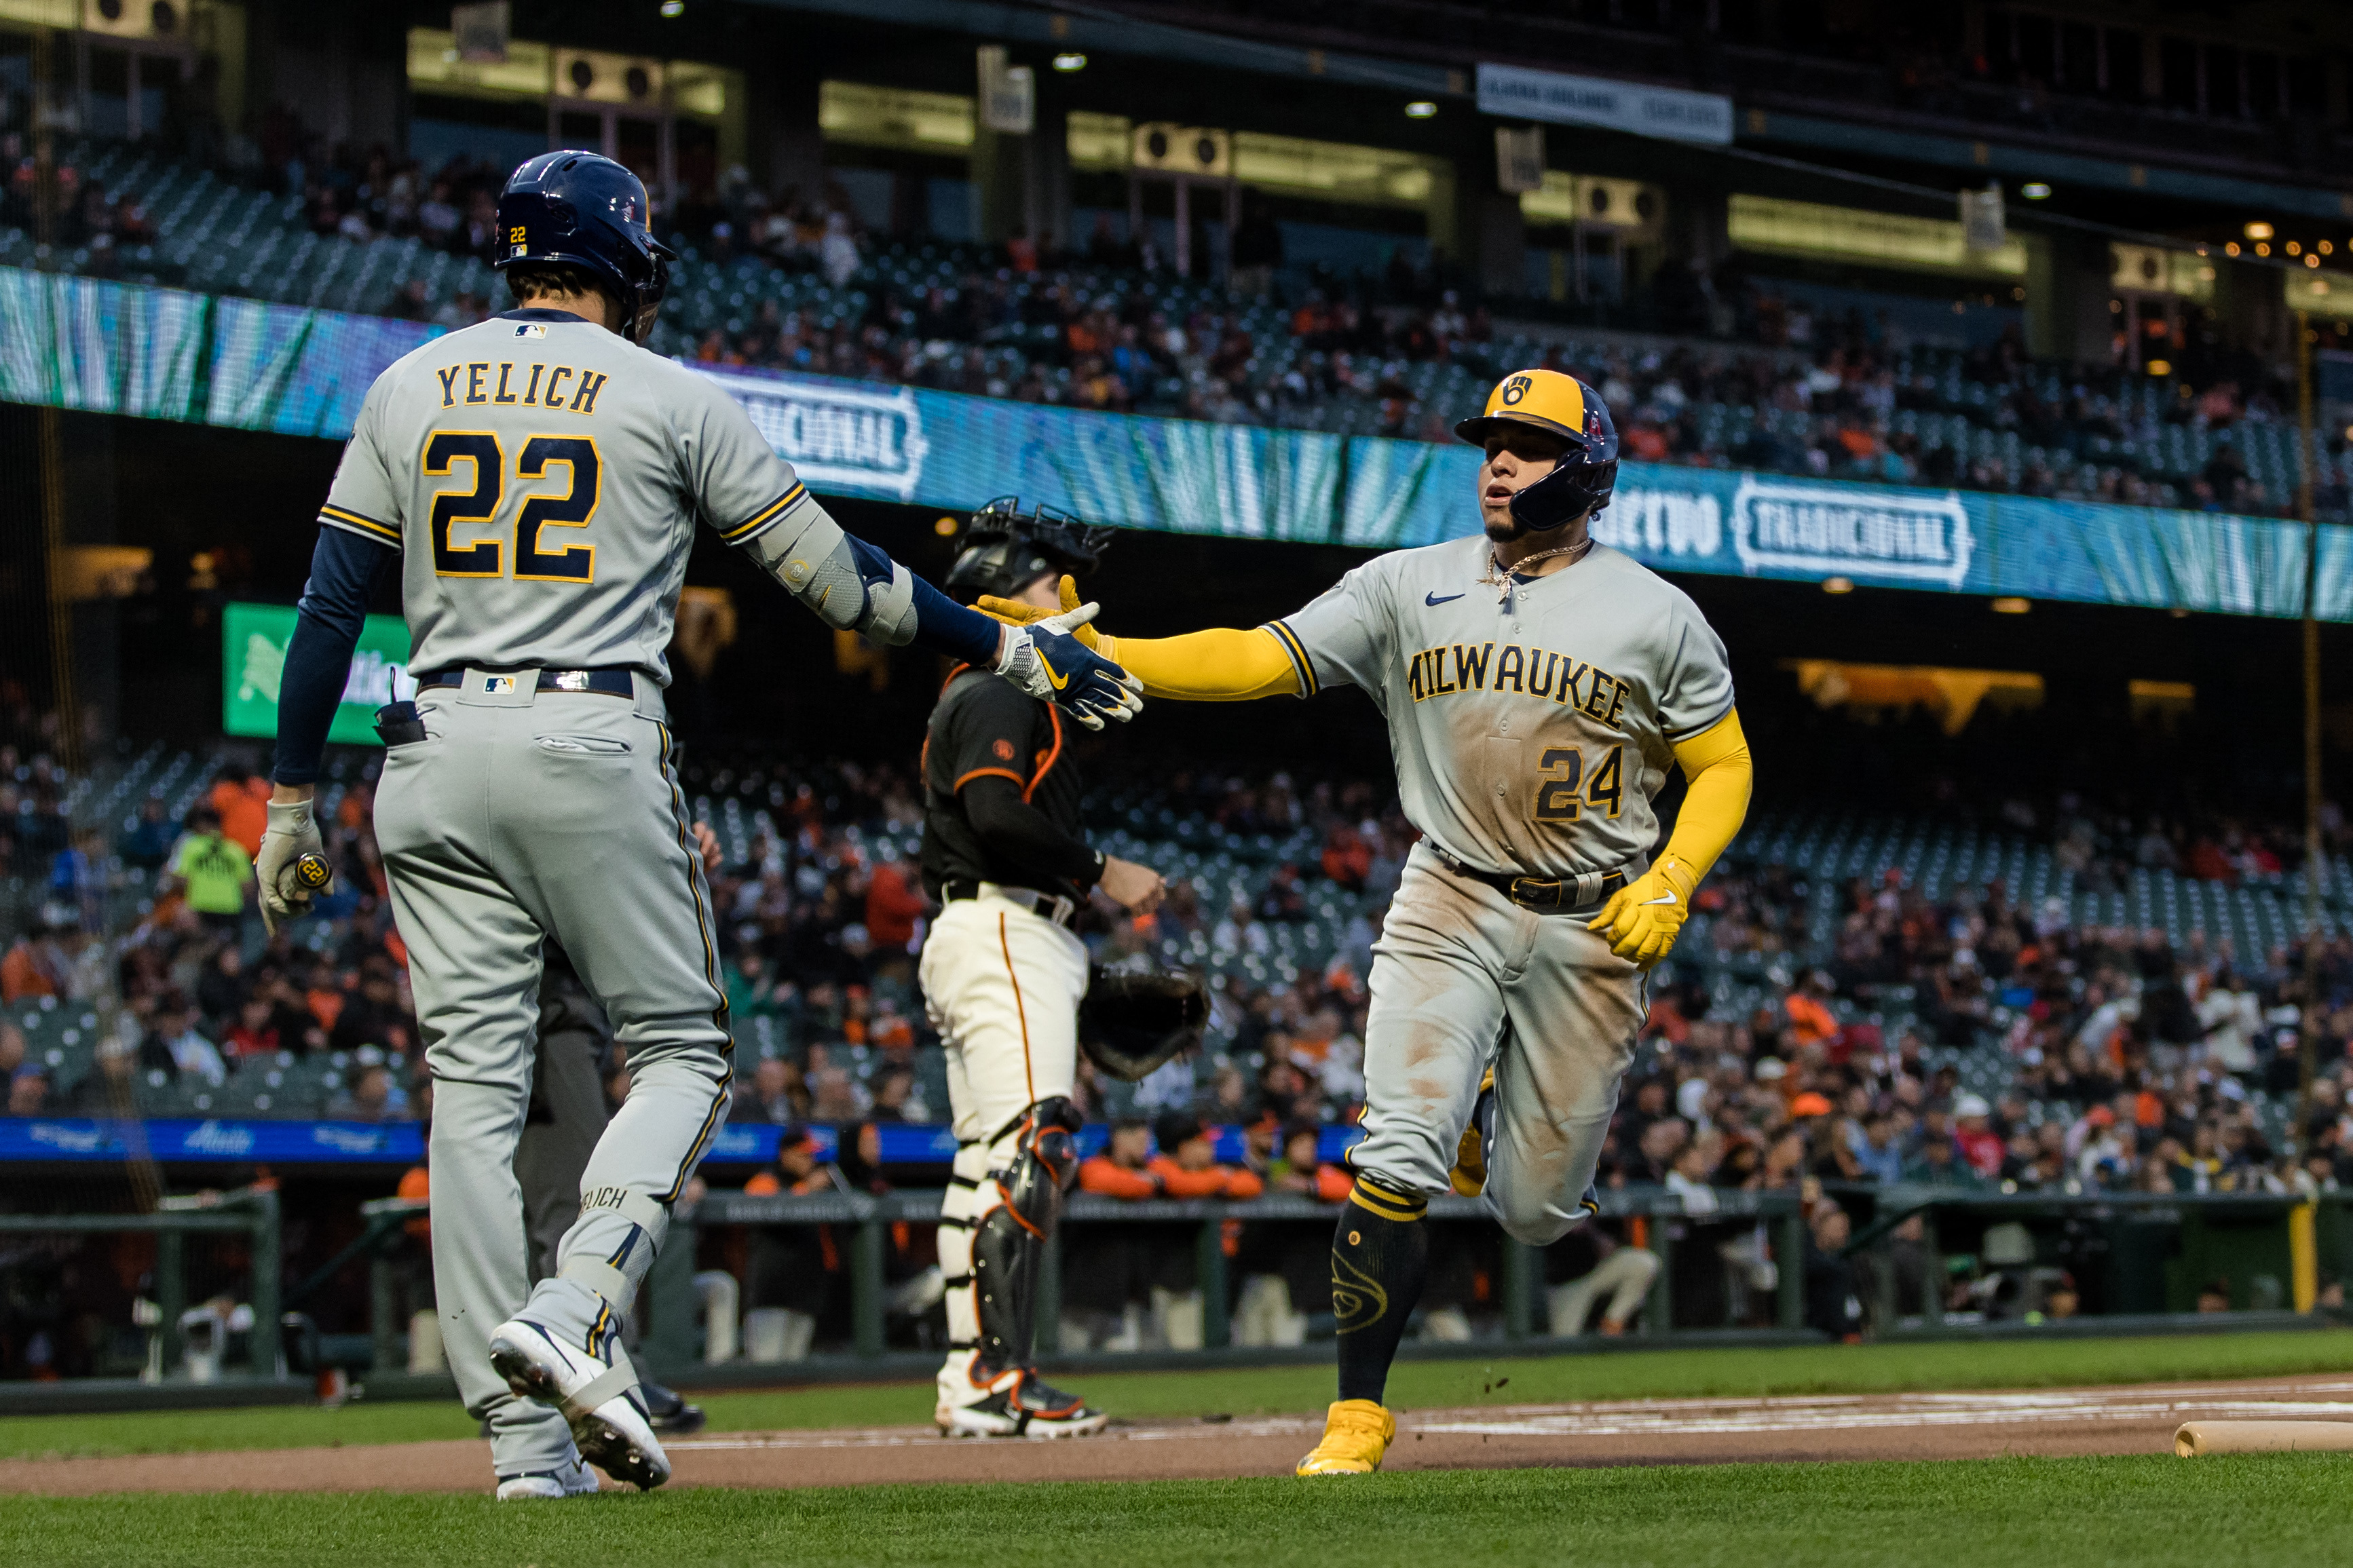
[1778,1047]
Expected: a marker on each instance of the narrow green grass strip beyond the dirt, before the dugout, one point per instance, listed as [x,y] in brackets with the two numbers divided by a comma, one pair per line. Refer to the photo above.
[1665,1374]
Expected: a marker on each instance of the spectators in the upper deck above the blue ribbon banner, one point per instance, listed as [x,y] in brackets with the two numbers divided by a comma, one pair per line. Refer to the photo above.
[1733,366]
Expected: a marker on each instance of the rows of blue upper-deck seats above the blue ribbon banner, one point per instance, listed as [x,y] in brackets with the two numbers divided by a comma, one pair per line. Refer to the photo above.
[2027,427]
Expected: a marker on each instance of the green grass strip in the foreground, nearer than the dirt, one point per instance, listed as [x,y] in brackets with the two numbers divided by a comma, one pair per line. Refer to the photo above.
[2135,1513]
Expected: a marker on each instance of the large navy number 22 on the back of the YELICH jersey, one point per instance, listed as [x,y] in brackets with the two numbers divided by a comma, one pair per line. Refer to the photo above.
[479,507]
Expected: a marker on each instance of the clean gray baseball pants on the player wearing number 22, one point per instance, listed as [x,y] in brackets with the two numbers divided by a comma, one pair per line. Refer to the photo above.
[528,815]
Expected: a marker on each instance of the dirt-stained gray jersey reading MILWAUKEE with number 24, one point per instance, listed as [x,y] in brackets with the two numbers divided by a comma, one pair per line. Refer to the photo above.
[1531,730]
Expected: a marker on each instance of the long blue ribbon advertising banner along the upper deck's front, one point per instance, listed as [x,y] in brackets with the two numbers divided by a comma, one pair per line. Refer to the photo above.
[161,354]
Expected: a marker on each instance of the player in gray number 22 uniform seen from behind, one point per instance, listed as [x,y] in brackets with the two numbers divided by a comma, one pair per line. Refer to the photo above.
[538,478]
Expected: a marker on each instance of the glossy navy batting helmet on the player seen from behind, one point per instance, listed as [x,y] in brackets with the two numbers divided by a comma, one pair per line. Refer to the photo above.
[587,210]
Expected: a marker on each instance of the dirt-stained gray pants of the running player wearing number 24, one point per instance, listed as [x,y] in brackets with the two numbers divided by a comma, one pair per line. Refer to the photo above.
[1465,979]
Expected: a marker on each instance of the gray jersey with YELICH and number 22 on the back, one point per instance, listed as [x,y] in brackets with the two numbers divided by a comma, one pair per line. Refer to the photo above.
[542,478]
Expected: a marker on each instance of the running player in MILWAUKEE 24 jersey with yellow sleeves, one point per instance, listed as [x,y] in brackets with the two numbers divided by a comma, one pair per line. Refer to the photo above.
[1538,690]
